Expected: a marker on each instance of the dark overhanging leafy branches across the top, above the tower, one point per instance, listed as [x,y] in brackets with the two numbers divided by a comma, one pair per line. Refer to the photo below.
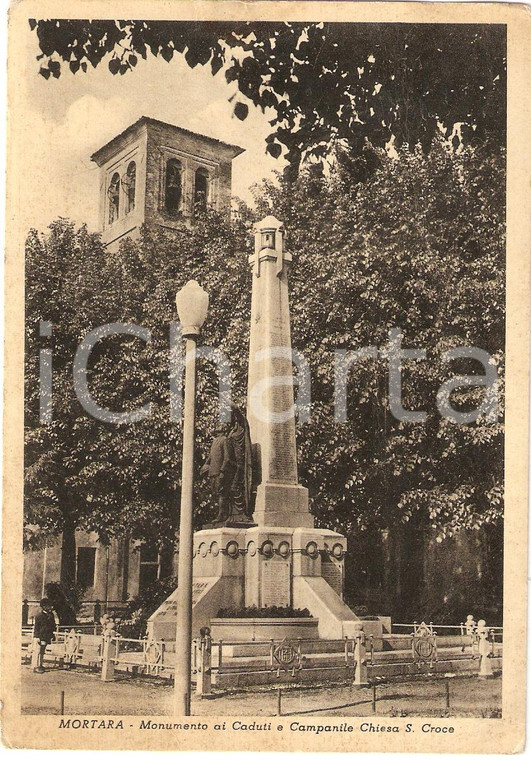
[324,82]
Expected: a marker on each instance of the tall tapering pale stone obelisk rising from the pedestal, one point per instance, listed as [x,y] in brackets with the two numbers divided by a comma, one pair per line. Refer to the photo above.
[280,500]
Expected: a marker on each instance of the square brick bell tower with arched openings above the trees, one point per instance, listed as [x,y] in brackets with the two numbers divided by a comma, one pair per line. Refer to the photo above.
[160,174]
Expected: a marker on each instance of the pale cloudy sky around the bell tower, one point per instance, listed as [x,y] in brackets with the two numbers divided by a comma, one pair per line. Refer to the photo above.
[67,119]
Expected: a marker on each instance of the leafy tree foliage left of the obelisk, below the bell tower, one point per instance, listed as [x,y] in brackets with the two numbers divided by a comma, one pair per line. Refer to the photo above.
[122,479]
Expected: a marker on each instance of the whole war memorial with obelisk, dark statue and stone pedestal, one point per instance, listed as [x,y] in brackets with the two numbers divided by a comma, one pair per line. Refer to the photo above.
[264,551]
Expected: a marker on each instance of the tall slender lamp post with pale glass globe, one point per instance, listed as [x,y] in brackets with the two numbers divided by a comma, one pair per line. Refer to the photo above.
[192,308]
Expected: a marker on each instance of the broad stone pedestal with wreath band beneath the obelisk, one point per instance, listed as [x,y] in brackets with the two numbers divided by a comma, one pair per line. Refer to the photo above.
[266,566]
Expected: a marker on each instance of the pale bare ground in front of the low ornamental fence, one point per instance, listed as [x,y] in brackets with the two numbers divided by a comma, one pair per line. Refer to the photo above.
[86,694]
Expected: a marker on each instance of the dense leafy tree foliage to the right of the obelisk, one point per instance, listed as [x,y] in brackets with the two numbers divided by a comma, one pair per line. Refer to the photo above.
[419,246]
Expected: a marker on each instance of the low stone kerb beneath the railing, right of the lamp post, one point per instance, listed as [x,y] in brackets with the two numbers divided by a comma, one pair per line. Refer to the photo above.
[337,674]
